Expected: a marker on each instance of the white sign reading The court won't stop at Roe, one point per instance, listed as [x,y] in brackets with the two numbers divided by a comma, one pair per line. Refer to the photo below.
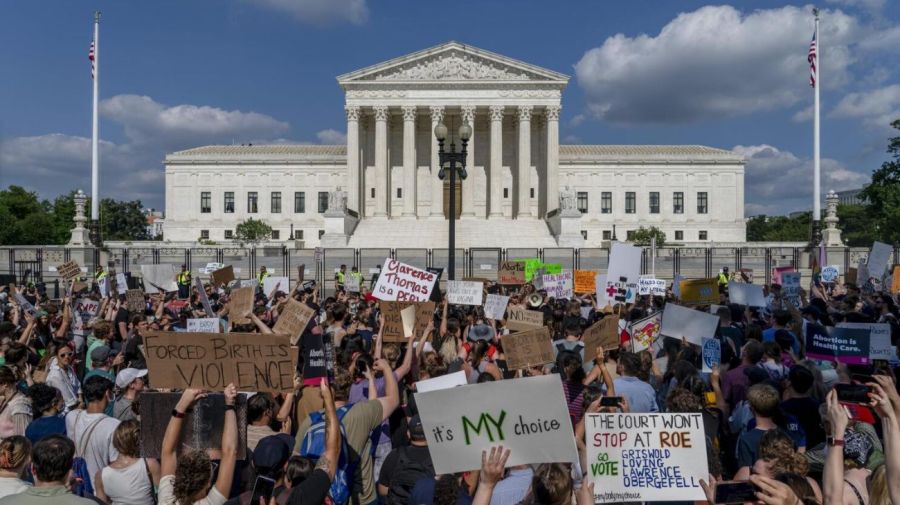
[646,457]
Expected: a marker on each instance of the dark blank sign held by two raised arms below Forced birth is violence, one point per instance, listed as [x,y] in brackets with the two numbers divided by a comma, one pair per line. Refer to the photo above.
[201,428]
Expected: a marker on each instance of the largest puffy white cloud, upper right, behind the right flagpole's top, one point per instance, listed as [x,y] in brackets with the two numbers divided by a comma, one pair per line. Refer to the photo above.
[713,62]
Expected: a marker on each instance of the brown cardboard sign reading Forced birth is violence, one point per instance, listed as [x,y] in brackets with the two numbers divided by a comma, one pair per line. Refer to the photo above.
[211,361]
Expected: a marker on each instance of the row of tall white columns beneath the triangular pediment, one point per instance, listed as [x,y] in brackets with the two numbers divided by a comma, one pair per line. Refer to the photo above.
[521,173]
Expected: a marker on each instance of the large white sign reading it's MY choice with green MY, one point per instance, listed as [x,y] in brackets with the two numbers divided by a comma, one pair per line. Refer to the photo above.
[460,422]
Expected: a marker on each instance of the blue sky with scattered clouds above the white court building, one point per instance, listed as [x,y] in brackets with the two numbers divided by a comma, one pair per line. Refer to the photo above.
[187,73]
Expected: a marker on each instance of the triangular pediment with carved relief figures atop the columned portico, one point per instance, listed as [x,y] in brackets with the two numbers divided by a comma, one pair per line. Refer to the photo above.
[452,62]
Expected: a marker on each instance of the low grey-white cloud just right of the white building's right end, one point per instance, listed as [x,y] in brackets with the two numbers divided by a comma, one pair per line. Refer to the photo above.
[777,182]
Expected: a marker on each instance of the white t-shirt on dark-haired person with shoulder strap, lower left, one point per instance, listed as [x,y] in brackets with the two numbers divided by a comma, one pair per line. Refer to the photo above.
[98,450]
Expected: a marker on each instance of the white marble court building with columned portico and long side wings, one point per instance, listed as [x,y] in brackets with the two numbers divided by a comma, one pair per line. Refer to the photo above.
[523,189]
